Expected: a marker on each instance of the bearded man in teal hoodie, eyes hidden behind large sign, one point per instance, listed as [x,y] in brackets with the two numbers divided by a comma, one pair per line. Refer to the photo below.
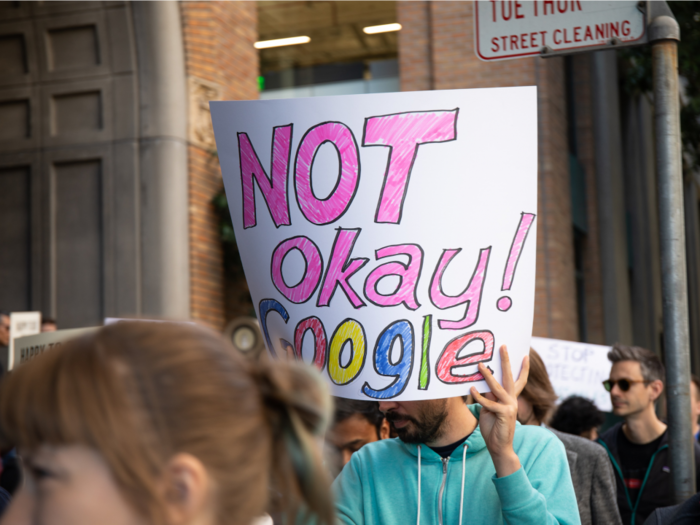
[457,463]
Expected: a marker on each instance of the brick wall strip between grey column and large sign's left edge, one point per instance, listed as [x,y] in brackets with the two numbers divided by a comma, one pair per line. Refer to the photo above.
[221,64]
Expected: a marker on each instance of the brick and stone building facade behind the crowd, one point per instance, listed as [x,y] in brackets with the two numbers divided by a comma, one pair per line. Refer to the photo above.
[108,163]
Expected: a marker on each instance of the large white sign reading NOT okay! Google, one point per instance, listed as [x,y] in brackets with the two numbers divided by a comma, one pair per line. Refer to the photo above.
[388,238]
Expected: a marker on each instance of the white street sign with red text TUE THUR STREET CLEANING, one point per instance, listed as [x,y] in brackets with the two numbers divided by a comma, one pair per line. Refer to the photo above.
[520,28]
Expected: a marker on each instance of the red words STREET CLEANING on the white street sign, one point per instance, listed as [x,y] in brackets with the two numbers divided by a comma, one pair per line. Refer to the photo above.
[571,35]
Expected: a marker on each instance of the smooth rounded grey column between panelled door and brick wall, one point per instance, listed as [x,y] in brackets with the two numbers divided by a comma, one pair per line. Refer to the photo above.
[165,286]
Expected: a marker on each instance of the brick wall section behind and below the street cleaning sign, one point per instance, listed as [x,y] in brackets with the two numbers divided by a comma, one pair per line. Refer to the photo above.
[436,51]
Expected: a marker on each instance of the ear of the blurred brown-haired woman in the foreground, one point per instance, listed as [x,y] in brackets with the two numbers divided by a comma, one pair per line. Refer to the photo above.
[188,490]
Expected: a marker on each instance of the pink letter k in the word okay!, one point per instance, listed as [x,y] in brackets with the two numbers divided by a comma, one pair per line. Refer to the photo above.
[341,268]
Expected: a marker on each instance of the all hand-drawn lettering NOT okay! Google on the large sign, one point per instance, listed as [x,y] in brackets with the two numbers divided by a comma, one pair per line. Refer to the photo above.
[326,273]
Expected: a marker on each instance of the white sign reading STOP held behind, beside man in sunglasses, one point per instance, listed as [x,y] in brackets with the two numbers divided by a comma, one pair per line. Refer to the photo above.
[576,369]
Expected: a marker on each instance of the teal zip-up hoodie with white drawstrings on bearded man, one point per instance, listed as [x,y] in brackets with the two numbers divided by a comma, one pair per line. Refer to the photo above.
[394,483]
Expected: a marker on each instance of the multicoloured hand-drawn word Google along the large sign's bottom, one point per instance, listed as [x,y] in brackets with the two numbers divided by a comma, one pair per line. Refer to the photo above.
[351,333]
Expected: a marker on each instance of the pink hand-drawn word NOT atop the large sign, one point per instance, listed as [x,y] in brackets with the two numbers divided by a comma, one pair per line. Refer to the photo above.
[402,133]
